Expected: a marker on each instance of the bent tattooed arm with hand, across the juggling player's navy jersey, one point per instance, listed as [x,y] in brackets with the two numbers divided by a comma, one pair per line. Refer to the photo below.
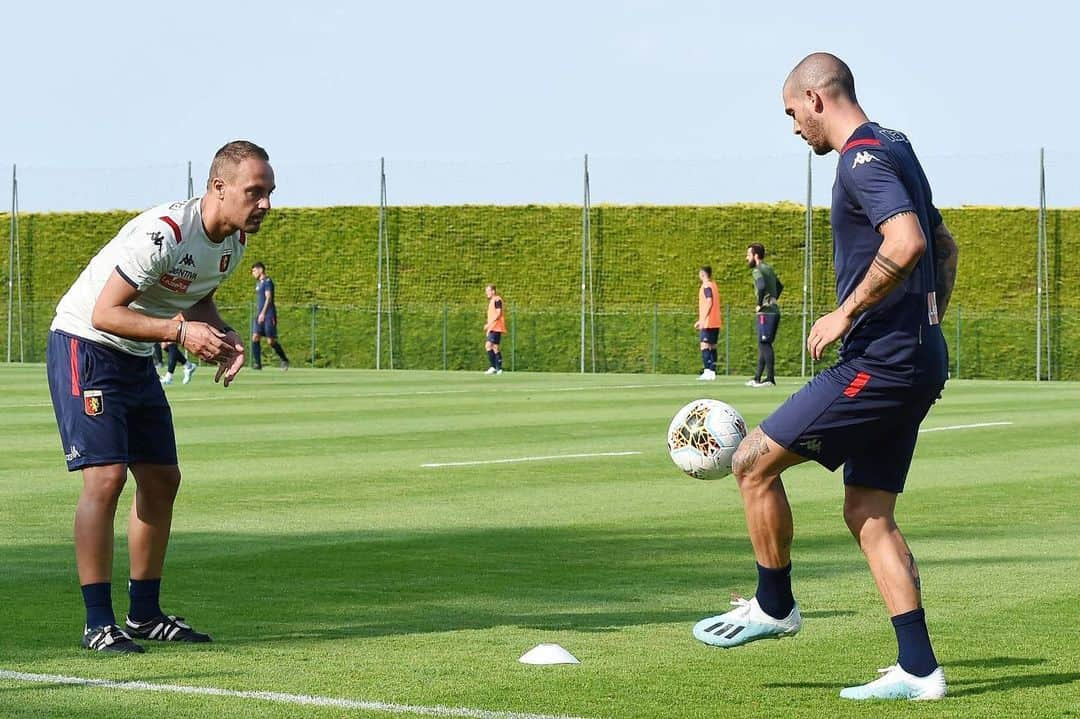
[901,250]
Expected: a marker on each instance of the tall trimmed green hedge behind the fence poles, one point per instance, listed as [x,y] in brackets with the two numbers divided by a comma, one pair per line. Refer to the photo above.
[645,263]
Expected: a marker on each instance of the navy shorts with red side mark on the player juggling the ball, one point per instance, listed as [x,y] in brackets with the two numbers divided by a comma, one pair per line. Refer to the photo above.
[859,415]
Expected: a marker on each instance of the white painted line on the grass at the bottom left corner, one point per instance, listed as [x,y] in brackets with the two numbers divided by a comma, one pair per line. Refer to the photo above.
[304,700]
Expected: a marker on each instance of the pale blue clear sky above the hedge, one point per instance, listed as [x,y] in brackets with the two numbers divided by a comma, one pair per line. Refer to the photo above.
[469,102]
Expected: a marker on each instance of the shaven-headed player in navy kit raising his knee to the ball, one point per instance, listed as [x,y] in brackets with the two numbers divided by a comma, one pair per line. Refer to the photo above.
[896,265]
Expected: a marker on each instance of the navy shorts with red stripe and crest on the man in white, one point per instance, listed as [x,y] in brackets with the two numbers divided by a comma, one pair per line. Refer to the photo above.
[111,406]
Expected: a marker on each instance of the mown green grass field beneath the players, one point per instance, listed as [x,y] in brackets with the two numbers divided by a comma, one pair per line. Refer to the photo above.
[328,562]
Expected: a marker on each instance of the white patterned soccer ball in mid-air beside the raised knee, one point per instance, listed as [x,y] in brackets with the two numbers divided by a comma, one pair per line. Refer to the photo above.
[704,437]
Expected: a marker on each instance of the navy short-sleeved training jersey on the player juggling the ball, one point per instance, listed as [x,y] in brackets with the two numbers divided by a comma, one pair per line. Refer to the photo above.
[879,178]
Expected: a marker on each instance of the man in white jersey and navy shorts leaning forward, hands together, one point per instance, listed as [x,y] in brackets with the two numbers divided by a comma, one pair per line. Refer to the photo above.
[154,282]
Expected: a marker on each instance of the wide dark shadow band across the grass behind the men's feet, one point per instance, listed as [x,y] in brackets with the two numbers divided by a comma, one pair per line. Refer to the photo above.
[251,589]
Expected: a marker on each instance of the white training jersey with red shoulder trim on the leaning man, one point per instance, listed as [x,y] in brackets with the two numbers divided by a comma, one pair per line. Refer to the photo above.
[164,253]
